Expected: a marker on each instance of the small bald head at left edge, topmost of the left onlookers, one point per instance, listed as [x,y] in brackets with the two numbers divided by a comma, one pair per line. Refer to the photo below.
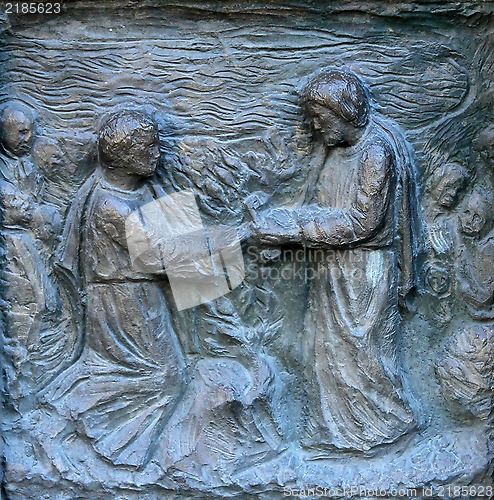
[17,128]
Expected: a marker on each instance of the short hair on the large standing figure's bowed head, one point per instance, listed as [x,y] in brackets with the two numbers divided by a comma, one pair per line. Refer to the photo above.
[340,91]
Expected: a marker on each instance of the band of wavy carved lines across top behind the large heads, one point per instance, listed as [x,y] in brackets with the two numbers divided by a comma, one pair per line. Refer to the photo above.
[194,75]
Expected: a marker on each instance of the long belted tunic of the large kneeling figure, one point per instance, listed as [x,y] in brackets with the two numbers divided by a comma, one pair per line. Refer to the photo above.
[131,373]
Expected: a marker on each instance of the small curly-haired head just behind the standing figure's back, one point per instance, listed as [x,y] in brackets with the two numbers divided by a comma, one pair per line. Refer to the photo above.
[446,184]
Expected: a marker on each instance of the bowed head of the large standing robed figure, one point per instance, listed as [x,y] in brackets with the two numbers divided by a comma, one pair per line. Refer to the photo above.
[338,106]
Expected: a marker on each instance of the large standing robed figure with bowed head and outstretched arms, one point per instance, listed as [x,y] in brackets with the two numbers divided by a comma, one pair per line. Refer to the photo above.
[361,209]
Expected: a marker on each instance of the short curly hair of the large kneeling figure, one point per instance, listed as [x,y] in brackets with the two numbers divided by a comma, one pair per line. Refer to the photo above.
[119,132]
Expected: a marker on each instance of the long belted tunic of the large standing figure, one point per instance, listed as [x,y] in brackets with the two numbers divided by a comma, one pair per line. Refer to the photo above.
[355,396]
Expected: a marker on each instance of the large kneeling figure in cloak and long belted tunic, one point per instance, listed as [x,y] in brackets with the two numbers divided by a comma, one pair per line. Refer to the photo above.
[131,372]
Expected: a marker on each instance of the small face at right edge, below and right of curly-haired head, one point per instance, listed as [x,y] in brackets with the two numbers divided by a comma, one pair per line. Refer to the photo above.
[478,214]
